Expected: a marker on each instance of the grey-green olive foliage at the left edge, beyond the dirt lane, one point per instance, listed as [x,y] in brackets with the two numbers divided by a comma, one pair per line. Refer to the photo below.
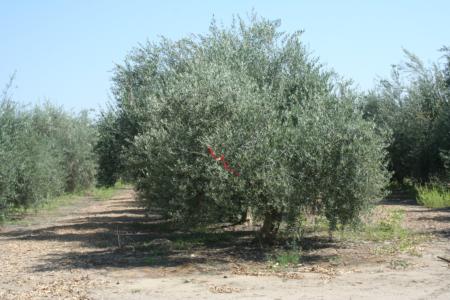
[44,152]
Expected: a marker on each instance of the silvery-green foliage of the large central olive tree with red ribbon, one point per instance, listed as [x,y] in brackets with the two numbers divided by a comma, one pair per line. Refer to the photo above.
[289,128]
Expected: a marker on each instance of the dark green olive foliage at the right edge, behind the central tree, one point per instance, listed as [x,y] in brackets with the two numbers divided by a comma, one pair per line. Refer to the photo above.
[414,104]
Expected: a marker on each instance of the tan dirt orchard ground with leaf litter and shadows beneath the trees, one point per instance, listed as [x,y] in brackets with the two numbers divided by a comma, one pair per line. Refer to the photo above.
[112,250]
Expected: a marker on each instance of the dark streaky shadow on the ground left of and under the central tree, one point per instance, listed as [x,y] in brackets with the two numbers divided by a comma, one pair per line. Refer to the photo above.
[126,237]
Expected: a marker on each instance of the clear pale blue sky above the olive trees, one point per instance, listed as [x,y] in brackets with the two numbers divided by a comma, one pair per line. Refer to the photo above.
[64,51]
